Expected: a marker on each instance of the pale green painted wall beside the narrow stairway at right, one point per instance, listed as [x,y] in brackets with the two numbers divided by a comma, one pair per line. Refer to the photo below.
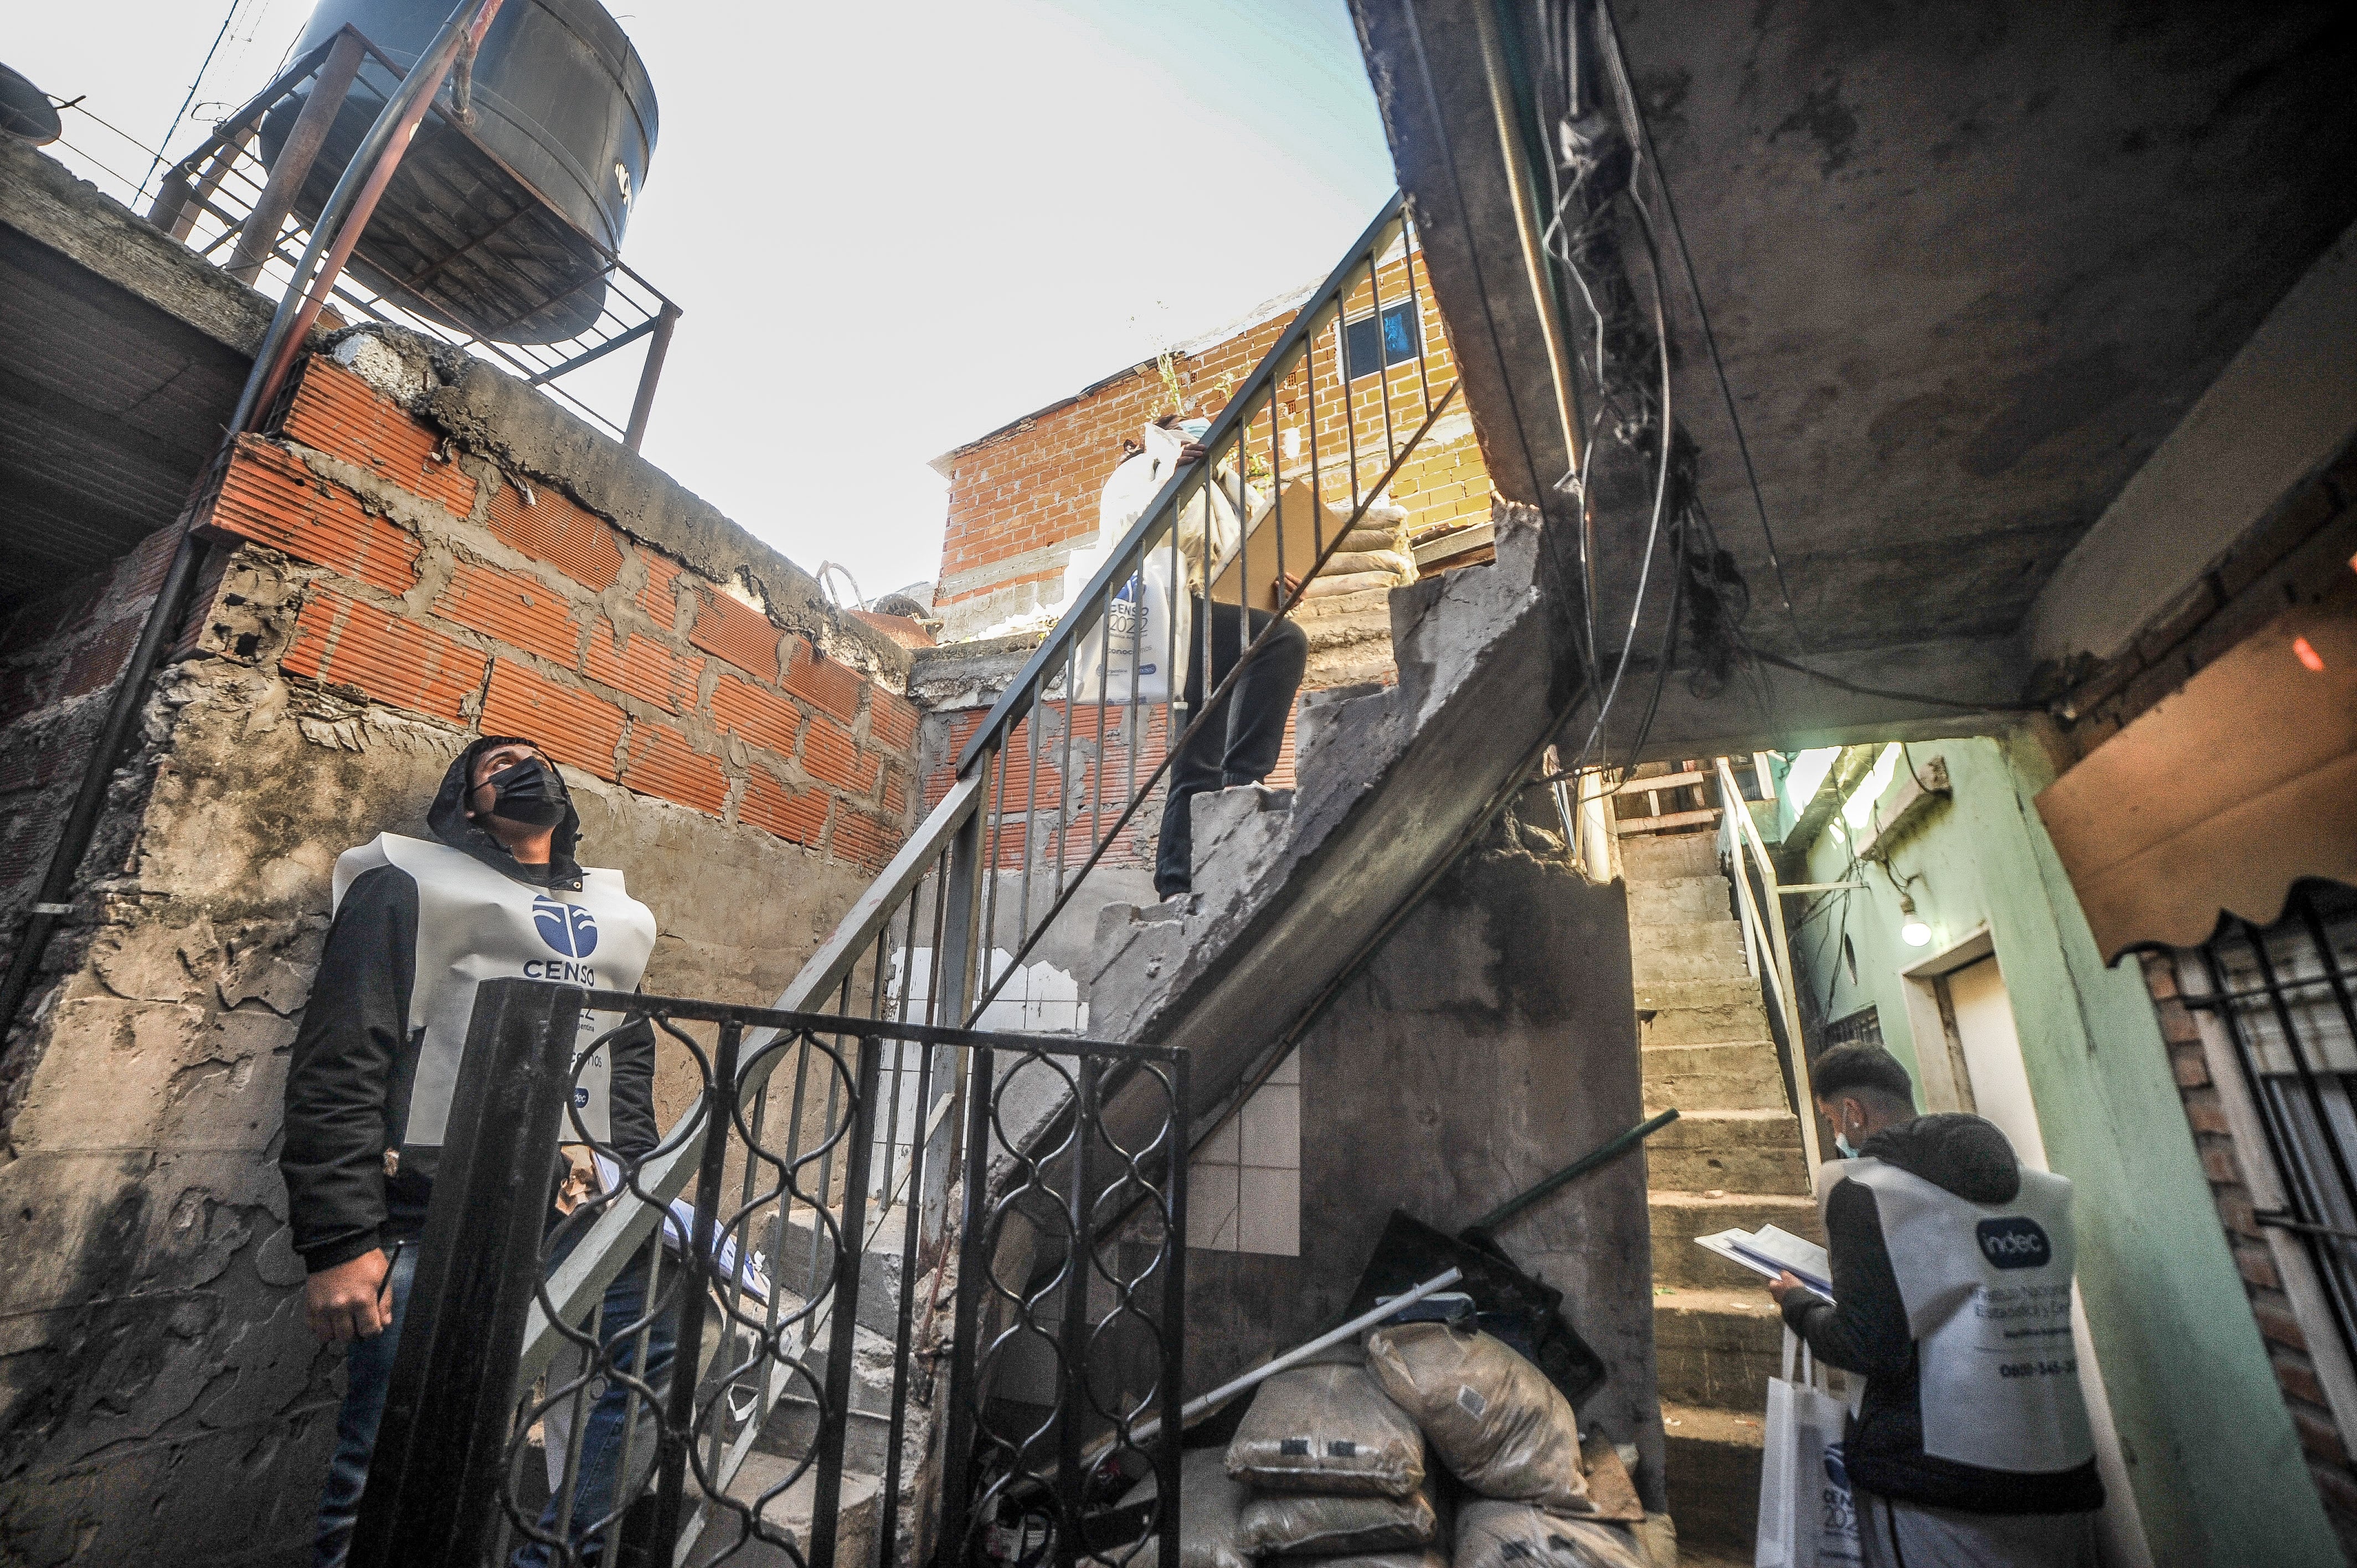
[2217,1465]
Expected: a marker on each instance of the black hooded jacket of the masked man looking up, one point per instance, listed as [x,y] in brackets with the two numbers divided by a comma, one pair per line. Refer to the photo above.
[357,1043]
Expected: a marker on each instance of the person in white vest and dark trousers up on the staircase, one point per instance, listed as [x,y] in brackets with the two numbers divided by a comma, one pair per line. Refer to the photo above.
[1147,638]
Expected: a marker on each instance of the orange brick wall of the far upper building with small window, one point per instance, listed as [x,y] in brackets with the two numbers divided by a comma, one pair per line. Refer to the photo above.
[1036,485]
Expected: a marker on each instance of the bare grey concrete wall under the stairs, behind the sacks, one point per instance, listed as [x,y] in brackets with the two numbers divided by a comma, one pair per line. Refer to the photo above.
[1488,1043]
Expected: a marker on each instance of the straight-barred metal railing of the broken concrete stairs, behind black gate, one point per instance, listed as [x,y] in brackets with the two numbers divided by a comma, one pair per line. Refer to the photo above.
[918,944]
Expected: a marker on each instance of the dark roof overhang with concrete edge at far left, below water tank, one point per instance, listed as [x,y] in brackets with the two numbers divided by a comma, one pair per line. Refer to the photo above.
[121,357]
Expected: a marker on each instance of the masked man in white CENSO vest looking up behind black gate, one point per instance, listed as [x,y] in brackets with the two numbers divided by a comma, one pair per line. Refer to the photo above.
[418,925]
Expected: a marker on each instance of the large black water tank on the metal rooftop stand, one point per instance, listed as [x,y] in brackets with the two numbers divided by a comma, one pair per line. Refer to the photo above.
[506,228]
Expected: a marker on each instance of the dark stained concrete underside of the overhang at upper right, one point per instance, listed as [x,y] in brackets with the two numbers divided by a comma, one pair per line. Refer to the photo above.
[1967,268]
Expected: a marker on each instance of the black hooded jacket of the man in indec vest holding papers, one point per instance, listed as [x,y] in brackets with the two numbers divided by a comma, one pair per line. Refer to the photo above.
[1866,1331]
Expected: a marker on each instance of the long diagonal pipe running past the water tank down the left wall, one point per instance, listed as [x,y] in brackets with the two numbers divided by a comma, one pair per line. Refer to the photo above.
[348,211]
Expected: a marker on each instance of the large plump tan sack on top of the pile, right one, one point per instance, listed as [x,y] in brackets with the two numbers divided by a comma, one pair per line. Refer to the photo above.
[1488,1414]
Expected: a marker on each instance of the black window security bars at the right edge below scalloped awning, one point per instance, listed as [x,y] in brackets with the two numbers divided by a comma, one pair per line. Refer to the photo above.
[2287,999]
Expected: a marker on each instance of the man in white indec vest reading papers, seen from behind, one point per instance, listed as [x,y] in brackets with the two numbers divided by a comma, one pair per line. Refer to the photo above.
[1953,1282]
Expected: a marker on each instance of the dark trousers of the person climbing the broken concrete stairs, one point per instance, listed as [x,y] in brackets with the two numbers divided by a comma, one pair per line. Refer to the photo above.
[1243,739]
